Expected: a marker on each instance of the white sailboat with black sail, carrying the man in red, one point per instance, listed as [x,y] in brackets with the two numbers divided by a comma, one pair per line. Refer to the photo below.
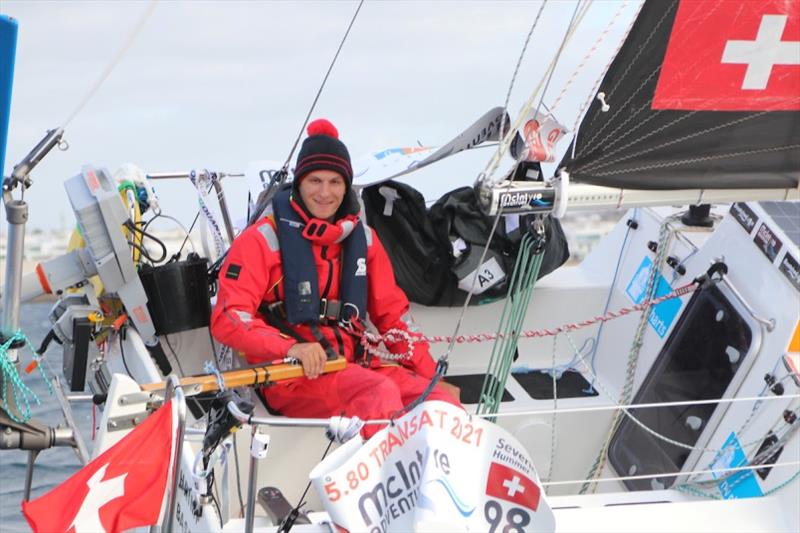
[654,386]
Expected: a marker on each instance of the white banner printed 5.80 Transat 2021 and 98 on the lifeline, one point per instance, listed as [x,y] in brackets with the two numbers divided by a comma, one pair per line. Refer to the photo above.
[436,469]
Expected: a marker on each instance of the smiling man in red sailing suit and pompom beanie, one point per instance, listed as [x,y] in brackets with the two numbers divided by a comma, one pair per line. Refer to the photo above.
[293,280]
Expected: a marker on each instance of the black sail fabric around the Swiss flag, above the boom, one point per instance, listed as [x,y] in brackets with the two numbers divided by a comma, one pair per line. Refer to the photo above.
[634,145]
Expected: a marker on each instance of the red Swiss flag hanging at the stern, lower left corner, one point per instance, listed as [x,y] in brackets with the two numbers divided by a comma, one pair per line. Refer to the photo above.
[121,489]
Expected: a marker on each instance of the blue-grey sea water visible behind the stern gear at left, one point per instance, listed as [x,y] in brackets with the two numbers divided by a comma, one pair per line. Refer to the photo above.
[55,465]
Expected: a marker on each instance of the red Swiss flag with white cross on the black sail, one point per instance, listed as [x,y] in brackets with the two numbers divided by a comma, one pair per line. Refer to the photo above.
[729,55]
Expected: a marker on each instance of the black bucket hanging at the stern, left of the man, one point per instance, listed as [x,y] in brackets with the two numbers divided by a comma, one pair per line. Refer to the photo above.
[178,294]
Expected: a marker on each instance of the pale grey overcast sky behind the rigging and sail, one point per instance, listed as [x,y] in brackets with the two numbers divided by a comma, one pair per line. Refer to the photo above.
[218,84]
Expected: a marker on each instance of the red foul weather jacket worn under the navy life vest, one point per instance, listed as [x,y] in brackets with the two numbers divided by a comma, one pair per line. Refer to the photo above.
[253,275]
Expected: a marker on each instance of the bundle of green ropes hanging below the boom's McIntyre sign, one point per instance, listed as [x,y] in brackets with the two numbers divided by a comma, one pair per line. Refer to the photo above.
[520,291]
